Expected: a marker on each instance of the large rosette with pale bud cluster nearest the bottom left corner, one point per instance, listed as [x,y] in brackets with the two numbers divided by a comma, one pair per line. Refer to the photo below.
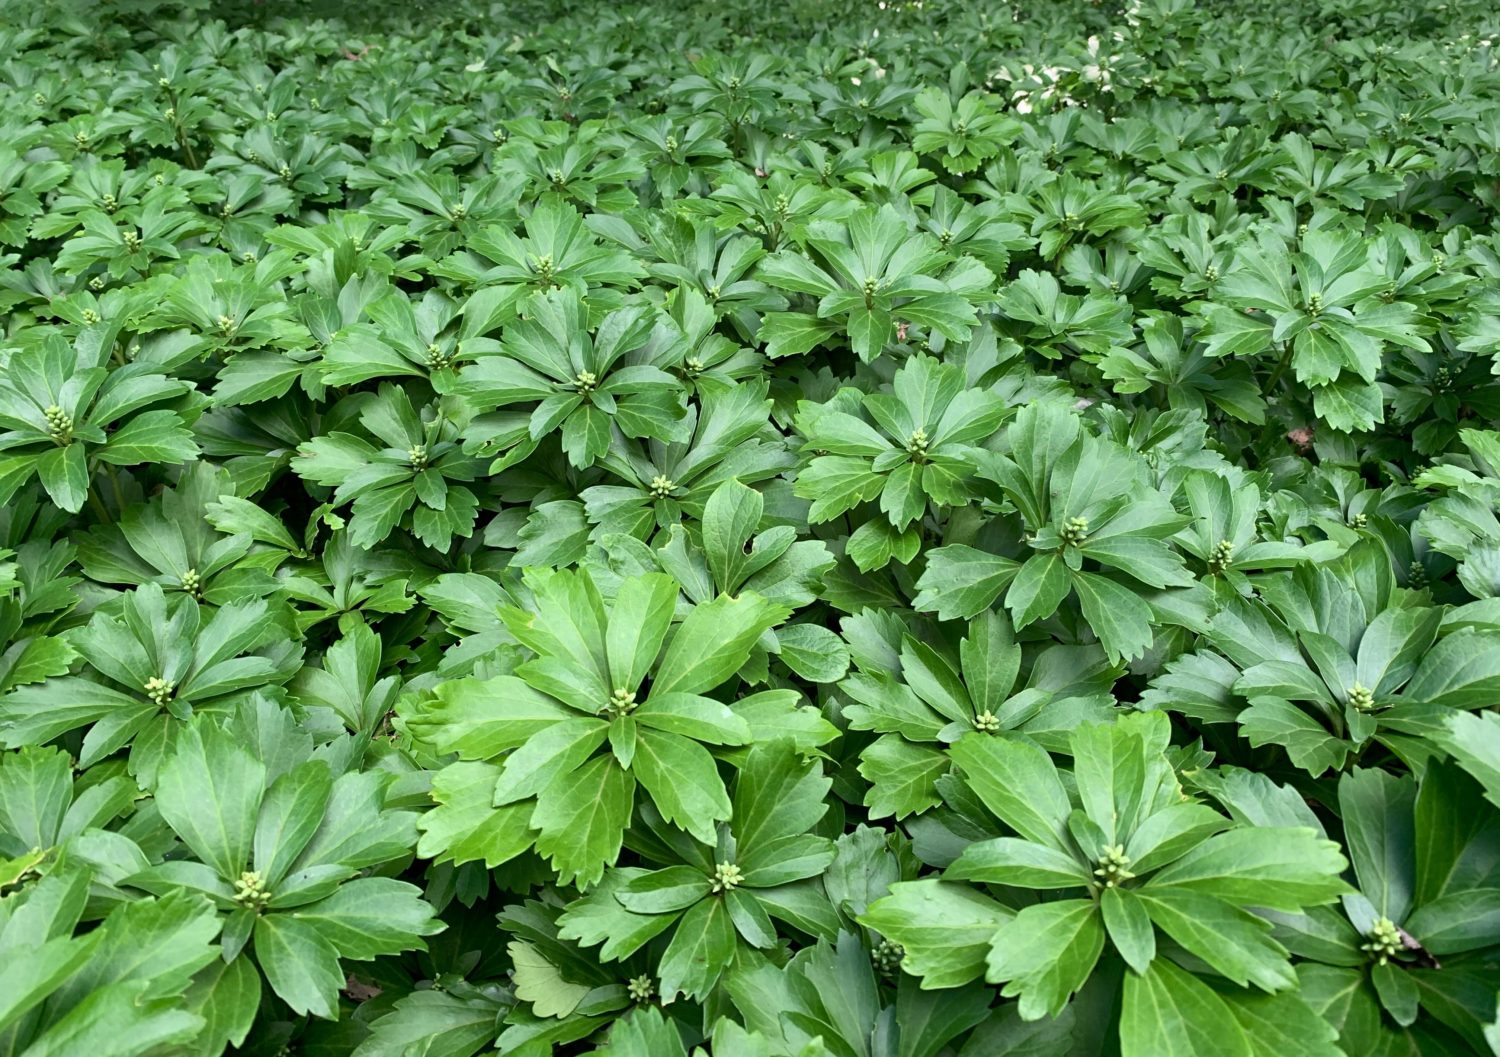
[280,843]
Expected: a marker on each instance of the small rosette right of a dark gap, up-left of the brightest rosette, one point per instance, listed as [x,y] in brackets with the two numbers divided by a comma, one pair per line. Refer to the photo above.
[415,482]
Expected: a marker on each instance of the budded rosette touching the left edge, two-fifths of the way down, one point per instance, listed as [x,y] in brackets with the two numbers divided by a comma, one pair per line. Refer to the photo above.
[67,412]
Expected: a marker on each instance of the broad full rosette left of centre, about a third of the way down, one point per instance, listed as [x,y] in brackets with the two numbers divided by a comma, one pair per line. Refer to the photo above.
[584,385]
